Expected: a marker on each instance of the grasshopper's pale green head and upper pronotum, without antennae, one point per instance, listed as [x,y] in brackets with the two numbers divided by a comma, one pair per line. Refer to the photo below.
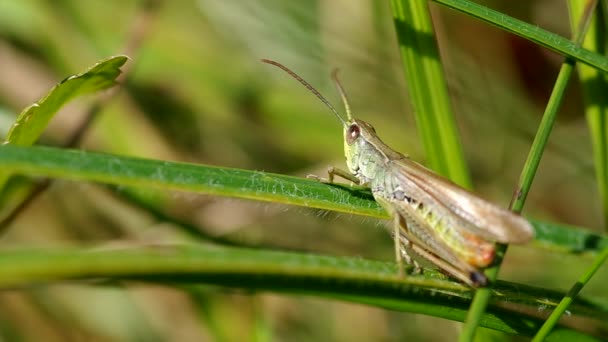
[366,155]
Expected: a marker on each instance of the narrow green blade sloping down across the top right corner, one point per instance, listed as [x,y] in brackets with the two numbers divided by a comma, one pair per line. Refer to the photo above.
[533,33]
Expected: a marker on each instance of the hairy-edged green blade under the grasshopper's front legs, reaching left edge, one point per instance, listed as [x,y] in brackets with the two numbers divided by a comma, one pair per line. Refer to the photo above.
[262,186]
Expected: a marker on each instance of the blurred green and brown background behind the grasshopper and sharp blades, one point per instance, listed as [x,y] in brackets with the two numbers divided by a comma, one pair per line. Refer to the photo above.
[195,91]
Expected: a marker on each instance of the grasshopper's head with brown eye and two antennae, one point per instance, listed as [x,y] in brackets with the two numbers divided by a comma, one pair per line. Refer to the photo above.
[356,132]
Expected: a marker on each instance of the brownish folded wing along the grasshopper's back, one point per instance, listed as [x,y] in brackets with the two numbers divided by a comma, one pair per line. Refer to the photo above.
[464,208]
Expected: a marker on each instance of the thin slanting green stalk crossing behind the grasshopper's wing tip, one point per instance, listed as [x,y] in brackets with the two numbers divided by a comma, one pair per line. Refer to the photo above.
[482,296]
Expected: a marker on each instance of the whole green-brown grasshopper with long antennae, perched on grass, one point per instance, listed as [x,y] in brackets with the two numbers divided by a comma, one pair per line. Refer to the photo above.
[433,217]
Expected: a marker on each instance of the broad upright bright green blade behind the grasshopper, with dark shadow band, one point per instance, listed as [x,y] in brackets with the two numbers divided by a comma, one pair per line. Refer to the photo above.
[428,90]
